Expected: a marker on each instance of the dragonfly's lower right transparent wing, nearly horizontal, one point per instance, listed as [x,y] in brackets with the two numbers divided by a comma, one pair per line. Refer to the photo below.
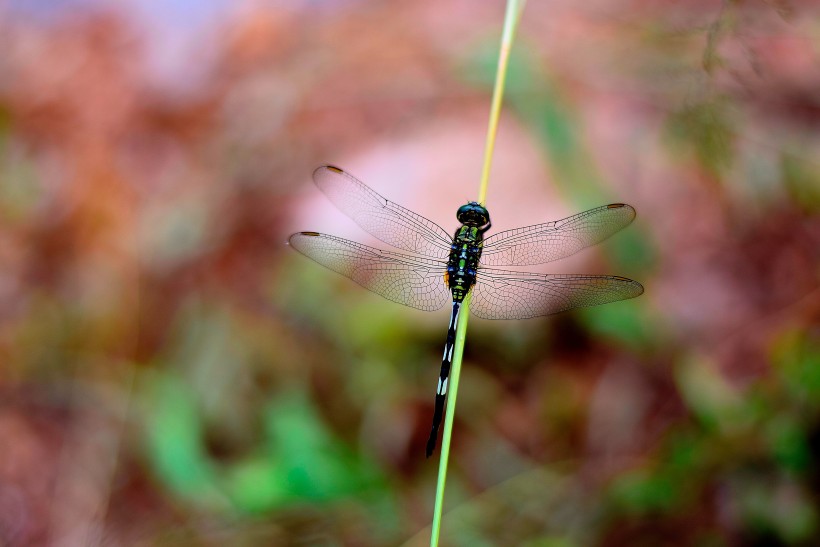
[502,294]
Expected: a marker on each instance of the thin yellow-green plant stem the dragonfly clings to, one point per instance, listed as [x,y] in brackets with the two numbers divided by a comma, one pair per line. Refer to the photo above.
[511,17]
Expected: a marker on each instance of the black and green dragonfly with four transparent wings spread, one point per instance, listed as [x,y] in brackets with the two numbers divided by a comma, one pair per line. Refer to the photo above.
[444,268]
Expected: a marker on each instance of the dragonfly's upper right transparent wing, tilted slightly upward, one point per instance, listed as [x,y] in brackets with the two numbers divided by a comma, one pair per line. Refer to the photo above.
[542,243]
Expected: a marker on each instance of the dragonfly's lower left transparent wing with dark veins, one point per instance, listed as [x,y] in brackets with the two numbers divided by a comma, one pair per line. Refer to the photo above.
[413,281]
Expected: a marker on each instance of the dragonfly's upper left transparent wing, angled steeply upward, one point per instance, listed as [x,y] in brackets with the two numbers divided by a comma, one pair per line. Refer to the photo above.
[382,218]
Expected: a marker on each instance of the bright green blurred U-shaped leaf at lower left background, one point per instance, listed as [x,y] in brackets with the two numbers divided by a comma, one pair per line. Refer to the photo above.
[299,460]
